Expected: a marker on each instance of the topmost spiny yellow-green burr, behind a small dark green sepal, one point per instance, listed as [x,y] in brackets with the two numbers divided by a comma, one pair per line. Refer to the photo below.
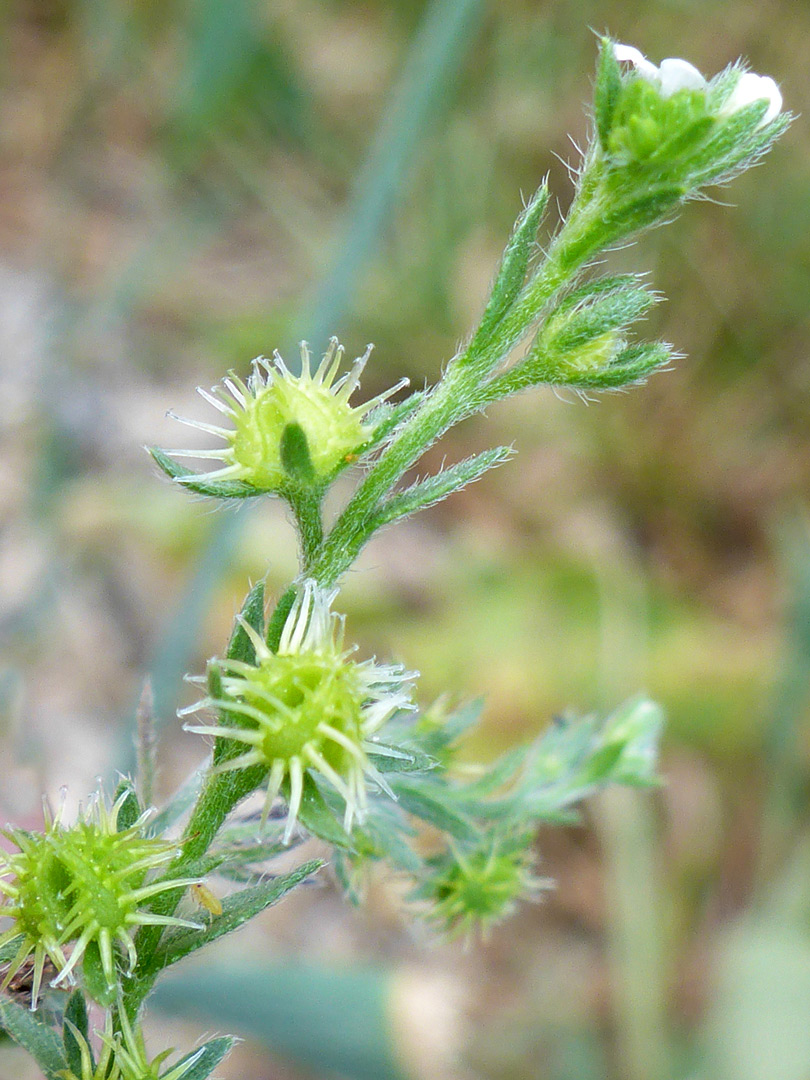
[272,404]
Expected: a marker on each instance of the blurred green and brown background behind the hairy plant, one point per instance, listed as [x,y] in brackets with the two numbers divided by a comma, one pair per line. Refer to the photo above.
[186,184]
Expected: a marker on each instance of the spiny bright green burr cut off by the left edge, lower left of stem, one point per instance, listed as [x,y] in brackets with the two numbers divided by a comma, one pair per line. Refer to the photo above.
[86,887]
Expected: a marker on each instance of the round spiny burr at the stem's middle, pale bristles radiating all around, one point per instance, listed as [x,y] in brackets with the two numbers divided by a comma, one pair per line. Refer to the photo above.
[307,709]
